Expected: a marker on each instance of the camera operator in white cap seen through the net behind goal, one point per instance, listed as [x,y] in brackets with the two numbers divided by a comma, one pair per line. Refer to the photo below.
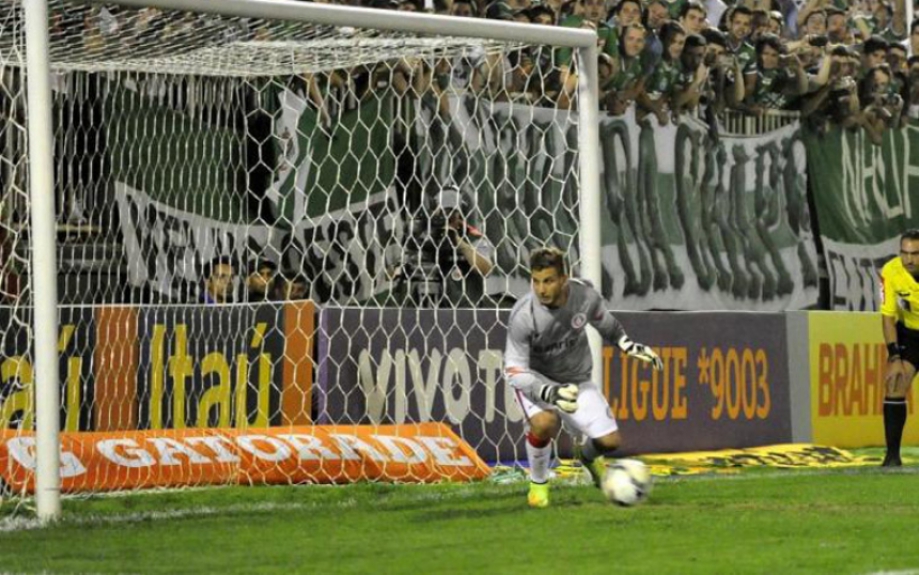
[446,258]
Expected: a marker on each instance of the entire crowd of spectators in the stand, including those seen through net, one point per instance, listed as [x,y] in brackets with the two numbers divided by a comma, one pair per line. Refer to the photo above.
[848,62]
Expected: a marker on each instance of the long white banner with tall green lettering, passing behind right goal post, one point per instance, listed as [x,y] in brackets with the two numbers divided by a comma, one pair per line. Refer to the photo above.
[690,221]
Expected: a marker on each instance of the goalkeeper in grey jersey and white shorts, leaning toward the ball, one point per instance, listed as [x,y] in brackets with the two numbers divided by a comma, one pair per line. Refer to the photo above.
[547,361]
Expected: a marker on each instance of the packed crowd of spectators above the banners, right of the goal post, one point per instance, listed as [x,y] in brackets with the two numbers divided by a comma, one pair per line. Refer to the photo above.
[854,64]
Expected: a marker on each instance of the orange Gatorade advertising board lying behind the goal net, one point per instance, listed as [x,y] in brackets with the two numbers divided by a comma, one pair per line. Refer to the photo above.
[101,461]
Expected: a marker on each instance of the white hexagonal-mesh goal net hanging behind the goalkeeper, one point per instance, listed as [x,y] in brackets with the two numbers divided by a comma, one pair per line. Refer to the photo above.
[286,251]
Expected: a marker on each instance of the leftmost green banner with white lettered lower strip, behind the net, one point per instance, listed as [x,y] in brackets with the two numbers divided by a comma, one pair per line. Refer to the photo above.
[176,181]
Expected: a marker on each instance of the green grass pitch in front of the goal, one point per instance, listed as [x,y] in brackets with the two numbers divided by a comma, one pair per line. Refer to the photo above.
[832,521]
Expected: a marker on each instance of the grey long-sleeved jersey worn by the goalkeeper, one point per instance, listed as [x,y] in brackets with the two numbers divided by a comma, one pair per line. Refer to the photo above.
[550,345]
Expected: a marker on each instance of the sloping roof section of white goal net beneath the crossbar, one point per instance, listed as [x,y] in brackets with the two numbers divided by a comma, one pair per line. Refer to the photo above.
[101,38]
